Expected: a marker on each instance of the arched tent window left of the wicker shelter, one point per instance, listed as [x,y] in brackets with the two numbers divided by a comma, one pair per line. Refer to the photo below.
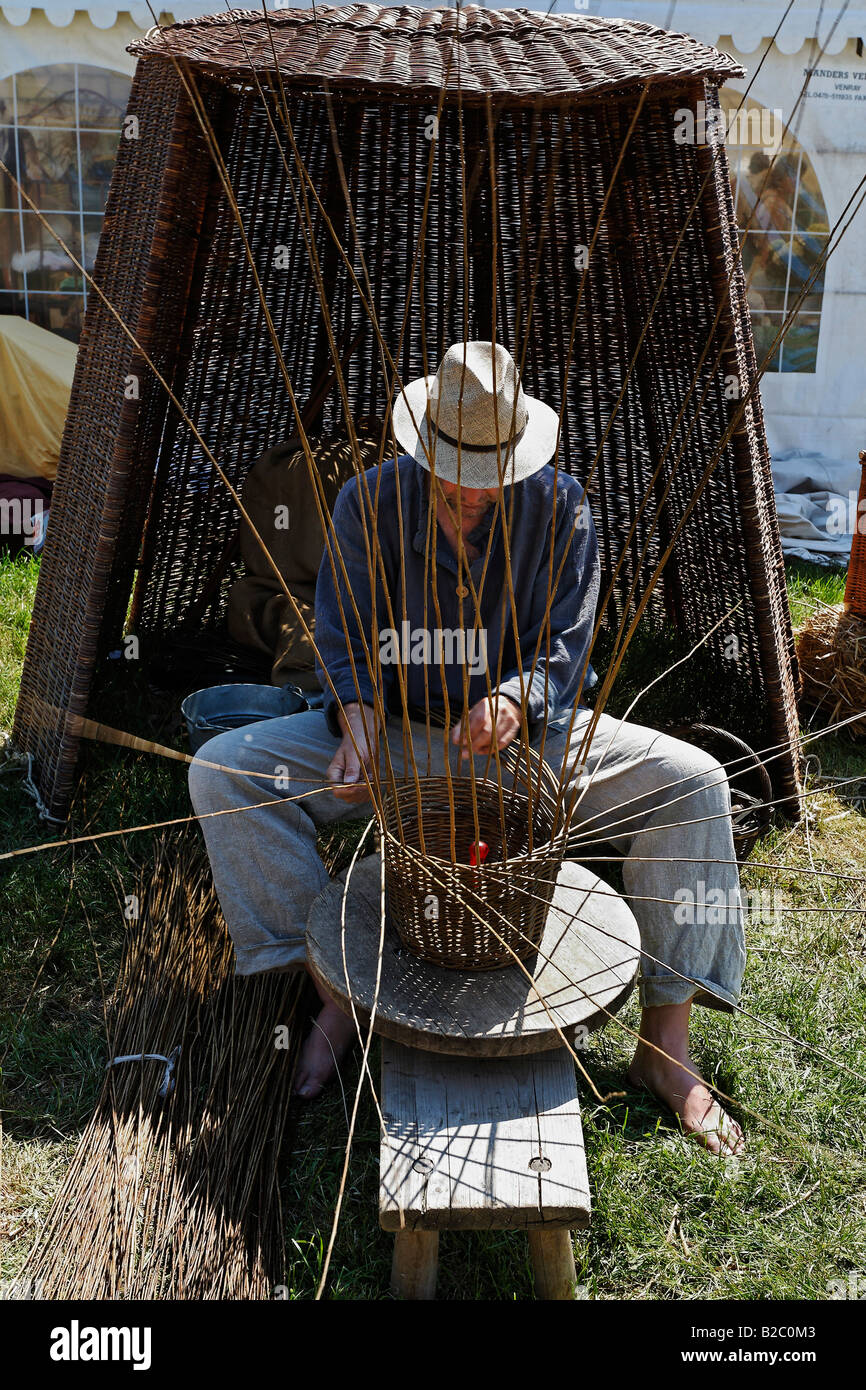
[59,134]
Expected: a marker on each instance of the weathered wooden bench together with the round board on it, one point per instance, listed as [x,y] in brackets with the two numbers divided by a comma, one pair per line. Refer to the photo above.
[483,1125]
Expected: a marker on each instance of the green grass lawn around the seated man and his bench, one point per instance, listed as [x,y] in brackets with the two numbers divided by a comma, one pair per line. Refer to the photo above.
[669,1221]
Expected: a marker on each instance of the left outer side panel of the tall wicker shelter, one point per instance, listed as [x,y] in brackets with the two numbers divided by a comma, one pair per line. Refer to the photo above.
[115,422]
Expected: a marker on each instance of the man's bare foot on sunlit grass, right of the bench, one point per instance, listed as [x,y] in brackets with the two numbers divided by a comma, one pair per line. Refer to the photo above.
[676,1084]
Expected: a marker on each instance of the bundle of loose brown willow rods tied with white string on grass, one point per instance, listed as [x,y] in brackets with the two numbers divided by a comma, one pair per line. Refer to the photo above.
[176,1196]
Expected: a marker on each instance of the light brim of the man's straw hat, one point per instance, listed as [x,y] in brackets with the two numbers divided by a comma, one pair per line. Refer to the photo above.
[536,447]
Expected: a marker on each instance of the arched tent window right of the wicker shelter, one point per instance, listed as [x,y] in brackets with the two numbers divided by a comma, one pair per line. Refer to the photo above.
[783,229]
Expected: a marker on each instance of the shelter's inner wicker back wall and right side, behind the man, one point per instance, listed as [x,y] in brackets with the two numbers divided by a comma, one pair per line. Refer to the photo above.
[726,553]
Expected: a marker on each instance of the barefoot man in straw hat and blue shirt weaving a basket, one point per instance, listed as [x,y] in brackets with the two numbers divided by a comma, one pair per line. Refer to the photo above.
[493,540]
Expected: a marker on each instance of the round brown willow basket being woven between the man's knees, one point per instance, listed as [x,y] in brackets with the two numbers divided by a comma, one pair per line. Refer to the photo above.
[455,914]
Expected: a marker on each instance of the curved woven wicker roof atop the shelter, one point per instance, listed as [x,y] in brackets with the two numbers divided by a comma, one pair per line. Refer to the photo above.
[414,52]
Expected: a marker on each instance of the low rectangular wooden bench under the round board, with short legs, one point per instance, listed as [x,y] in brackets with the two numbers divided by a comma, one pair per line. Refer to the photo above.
[483,1145]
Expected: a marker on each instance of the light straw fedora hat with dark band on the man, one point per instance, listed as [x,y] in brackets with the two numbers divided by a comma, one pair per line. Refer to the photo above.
[459,414]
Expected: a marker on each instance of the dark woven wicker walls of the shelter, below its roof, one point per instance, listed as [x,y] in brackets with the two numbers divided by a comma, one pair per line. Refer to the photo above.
[174,265]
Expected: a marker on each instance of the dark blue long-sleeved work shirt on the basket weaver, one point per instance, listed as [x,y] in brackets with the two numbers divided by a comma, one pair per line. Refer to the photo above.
[404,491]
